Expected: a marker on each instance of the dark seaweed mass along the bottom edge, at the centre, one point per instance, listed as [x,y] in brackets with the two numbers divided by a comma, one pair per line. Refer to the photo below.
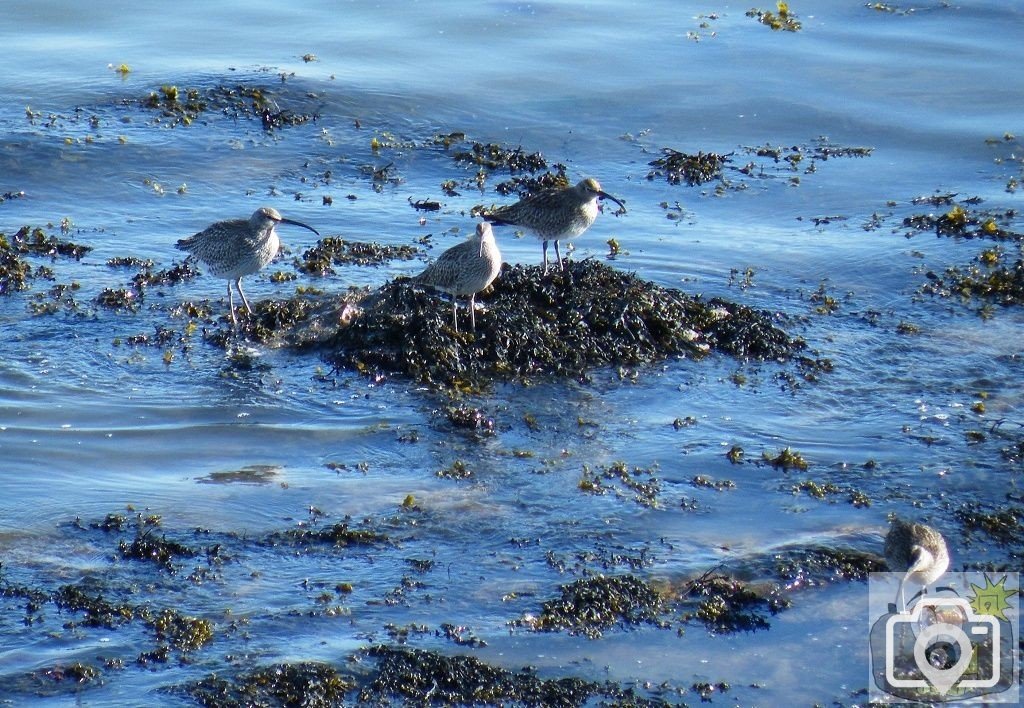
[420,677]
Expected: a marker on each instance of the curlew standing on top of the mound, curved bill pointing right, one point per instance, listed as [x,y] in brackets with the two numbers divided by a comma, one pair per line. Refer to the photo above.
[556,215]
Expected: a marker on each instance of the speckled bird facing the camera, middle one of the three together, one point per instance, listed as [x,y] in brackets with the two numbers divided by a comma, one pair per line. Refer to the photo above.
[465,270]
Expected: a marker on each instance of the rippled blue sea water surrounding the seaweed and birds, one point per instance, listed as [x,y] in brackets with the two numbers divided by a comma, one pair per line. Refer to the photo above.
[91,426]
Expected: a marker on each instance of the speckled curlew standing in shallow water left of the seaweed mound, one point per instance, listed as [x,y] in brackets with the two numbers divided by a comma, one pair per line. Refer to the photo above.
[237,248]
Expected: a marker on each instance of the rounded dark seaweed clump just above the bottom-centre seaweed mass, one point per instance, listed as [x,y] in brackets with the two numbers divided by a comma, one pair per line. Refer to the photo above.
[592,605]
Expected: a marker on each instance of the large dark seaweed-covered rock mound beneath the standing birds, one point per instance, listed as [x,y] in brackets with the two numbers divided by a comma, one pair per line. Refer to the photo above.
[562,325]
